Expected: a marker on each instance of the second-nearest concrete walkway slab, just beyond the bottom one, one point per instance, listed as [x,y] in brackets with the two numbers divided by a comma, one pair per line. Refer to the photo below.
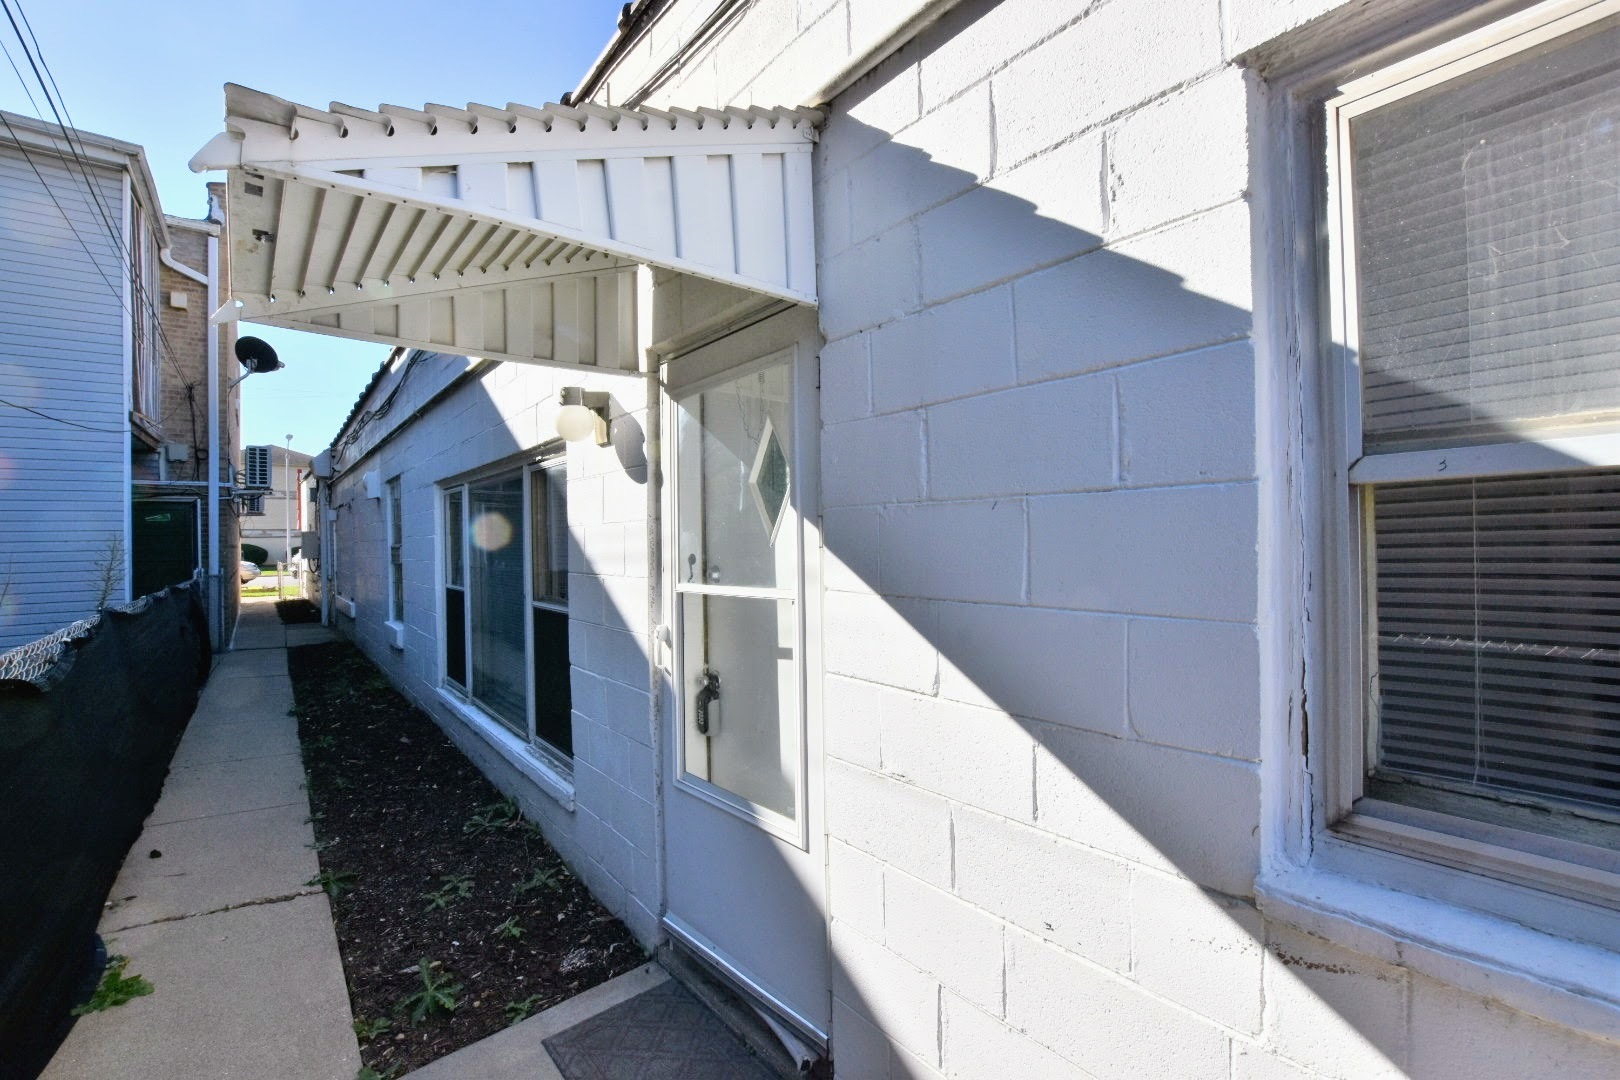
[202,869]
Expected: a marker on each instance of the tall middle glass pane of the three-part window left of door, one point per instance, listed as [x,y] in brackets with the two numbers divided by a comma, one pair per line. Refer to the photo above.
[497,563]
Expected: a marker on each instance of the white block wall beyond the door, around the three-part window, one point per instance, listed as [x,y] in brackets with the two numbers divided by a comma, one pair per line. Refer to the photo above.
[477,420]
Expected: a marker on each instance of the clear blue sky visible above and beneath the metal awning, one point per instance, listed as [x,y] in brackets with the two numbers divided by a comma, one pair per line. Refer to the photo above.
[153,74]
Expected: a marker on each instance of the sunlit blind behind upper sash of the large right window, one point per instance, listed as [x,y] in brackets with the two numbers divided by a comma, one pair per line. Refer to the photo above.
[1488,249]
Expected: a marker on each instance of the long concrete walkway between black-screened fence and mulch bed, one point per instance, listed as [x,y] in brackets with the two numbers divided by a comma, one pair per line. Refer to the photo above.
[213,904]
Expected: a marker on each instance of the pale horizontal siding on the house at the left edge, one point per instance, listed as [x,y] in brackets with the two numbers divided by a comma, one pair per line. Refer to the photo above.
[64,491]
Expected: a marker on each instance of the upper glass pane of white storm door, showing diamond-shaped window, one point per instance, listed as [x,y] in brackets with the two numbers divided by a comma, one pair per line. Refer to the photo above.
[736,482]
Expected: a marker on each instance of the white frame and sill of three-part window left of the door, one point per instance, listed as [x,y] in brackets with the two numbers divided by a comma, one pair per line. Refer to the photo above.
[535,759]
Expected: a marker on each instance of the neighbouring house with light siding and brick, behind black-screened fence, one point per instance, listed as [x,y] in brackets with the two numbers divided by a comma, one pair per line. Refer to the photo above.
[104,383]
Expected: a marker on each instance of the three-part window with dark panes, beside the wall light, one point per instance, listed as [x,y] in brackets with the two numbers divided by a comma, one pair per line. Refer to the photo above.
[506,618]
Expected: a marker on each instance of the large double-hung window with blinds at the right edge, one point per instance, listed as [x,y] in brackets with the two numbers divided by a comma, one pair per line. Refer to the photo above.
[1475,286]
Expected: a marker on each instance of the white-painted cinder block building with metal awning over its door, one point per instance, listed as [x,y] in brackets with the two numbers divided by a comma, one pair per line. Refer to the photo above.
[1104,556]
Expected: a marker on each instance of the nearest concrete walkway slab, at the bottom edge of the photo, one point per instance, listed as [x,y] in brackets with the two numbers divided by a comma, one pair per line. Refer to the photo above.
[244,995]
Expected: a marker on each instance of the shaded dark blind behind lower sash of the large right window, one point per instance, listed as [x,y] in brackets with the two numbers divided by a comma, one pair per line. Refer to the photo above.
[1498,626]
